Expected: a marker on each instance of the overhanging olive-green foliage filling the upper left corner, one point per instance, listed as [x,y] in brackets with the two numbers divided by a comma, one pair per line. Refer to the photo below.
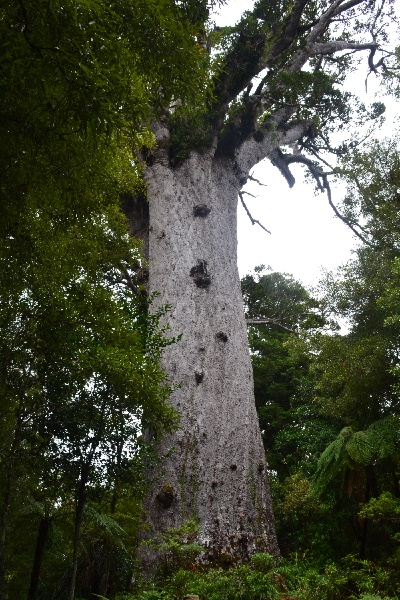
[79,86]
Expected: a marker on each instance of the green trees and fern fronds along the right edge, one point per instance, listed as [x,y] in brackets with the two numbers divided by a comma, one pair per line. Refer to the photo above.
[355,375]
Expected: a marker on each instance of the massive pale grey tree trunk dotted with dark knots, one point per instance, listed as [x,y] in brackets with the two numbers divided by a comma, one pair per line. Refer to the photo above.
[214,469]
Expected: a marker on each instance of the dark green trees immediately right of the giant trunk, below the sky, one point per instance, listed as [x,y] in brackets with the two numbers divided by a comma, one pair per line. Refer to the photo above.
[294,431]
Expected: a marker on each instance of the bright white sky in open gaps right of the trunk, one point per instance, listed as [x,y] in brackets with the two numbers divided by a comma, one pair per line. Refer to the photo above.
[306,237]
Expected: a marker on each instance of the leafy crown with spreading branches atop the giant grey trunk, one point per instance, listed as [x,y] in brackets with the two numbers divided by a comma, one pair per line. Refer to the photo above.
[281,68]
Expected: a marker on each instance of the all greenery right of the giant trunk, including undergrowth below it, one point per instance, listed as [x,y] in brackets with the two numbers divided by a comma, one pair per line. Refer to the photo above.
[328,404]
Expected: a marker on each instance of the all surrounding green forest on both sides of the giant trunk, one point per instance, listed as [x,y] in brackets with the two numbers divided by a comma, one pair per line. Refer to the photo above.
[79,349]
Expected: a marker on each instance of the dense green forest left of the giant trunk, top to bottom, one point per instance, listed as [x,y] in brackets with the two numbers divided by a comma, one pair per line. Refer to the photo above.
[79,353]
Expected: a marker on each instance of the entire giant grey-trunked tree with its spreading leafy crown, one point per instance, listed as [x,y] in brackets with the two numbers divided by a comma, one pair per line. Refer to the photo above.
[275,92]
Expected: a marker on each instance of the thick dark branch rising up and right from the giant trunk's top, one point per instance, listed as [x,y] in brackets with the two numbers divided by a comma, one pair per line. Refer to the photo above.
[242,124]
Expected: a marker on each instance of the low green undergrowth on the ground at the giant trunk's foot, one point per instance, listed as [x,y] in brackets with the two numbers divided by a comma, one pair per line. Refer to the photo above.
[349,579]
